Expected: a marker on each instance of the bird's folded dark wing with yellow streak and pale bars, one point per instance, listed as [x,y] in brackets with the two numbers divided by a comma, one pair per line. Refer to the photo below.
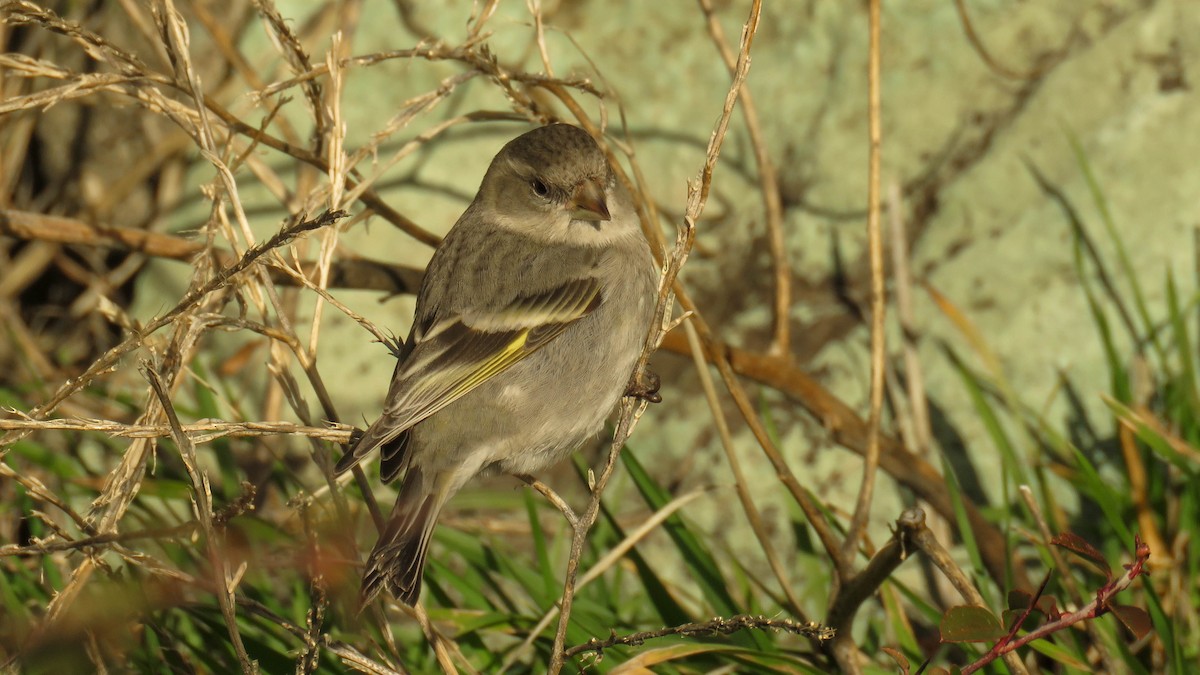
[460,353]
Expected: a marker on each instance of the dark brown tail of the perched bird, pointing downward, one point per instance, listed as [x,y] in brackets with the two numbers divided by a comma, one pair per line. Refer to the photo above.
[399,558]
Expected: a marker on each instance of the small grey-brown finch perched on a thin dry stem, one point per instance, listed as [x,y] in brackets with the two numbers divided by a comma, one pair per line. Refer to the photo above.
[532,315]
